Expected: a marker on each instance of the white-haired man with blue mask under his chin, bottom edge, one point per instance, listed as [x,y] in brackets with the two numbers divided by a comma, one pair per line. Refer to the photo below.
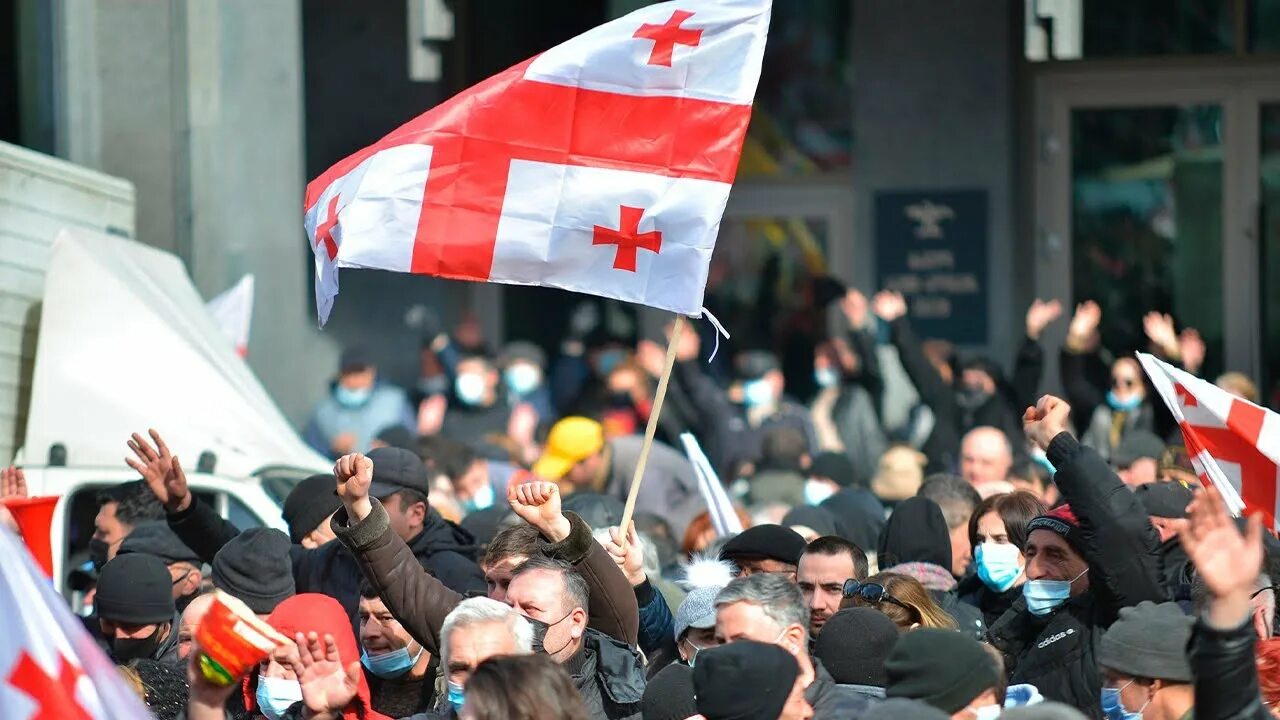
[476,631]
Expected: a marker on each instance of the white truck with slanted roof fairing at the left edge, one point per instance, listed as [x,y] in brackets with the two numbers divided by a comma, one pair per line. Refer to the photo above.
[102,336]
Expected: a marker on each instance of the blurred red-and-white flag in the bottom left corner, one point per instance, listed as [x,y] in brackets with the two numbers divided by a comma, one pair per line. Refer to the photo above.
[51,669]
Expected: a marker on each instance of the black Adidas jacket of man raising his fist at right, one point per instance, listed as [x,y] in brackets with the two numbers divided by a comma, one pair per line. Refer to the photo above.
[1058,653]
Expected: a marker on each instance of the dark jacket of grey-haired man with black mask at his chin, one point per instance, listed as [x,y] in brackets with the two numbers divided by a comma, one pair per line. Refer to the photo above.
[610,677]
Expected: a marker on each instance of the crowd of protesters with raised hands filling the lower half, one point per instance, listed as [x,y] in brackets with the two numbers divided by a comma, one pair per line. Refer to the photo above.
[925,536]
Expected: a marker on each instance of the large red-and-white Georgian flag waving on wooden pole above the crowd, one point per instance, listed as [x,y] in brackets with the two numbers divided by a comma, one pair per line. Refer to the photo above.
[601,166]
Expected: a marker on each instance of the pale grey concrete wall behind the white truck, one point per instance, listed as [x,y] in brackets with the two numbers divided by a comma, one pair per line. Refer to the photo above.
[200,106]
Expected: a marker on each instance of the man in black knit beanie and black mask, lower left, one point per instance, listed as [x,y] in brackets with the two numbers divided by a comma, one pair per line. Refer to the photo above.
[135,609]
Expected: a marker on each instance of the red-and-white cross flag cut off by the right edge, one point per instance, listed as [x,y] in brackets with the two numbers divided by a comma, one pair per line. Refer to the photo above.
[1233,444]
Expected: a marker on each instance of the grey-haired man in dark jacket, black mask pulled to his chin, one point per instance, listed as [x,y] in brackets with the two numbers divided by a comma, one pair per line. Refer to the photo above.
[609,675]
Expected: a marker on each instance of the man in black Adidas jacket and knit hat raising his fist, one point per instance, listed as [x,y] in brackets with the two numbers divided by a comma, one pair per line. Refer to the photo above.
[1085,562]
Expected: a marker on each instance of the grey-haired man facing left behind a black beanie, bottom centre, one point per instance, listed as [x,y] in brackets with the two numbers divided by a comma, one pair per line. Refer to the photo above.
[770,609]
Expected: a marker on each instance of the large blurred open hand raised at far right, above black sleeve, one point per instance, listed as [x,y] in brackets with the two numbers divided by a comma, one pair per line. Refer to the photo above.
[1228,562]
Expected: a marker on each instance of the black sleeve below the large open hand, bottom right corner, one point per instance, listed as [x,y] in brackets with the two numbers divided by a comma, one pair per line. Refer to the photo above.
[1227,677]
